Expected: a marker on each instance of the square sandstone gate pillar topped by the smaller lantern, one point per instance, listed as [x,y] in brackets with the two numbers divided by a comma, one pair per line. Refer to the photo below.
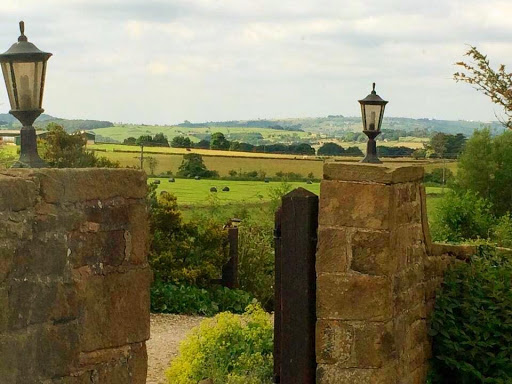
[371,310]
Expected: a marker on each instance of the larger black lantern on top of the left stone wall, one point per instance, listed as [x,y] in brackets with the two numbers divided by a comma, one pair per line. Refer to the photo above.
[24,70]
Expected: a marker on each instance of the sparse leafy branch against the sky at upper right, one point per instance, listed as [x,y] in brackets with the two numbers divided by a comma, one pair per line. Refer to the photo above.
[497,84]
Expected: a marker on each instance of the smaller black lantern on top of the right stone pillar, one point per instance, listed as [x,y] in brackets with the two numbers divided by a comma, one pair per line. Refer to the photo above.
[372,111]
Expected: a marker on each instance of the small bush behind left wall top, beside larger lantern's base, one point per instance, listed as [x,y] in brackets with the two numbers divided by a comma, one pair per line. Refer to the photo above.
[63,150]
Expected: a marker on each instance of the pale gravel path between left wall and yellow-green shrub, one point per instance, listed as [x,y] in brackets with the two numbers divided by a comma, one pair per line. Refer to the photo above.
[167,331]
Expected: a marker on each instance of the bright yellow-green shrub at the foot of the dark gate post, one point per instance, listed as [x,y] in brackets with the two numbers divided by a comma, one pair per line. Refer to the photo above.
[229,349]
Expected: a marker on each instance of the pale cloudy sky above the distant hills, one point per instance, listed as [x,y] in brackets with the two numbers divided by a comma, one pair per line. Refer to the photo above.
[164,61]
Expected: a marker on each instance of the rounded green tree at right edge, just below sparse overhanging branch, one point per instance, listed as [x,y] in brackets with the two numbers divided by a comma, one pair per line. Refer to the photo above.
[485,167]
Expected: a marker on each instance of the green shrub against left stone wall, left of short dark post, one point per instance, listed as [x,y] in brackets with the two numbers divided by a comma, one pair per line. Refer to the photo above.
[184,253]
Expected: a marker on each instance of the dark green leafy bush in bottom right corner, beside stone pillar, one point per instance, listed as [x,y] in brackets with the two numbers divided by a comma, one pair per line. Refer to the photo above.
[472,323]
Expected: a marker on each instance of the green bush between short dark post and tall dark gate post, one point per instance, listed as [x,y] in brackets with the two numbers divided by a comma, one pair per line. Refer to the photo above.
[256,261]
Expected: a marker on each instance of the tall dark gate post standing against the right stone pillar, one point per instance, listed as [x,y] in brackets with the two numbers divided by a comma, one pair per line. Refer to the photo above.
[295,316]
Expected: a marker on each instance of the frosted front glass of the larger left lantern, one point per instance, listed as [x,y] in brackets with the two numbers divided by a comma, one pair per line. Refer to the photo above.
[28,78]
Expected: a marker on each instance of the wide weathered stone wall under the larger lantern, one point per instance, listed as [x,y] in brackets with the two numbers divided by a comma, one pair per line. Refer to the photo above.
[74,278]
